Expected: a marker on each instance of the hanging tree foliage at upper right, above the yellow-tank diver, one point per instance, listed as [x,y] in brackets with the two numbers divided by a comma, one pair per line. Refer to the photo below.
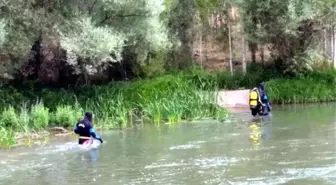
[288,26]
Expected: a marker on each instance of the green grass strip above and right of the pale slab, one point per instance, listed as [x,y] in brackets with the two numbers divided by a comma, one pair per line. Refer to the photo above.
[310,87]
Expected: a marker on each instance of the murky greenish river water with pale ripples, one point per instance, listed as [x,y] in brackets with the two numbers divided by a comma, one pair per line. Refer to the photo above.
[297,146]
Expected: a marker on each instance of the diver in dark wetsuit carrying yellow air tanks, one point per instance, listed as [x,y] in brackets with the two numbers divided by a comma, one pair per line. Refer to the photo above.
[259,103]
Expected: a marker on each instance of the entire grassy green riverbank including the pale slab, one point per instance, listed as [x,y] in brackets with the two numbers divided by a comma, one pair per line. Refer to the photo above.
[165,99]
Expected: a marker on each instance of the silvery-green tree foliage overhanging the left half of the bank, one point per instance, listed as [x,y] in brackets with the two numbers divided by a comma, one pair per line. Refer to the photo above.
[92,33]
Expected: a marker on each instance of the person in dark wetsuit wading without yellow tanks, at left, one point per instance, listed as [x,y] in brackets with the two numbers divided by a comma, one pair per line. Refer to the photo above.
[85,130]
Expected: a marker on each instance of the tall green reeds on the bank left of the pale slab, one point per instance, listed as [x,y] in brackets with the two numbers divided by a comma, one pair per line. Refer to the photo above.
[169,98]
